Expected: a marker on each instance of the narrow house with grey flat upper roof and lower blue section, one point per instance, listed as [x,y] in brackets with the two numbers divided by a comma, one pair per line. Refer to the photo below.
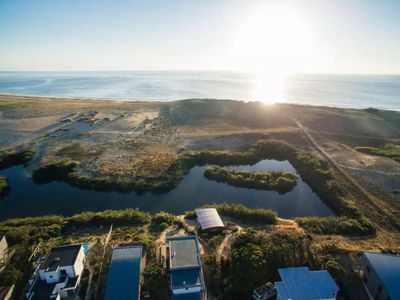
[185,271]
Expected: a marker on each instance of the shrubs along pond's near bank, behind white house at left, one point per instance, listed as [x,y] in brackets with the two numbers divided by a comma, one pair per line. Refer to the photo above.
[25,234]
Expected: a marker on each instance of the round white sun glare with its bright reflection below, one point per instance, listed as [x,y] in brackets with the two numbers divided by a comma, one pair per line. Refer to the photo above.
[271,43]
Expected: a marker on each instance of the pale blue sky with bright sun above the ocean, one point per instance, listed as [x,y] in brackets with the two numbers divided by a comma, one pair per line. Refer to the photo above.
[317,36]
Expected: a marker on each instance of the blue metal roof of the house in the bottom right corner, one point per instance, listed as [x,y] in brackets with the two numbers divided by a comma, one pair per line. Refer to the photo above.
[387,266]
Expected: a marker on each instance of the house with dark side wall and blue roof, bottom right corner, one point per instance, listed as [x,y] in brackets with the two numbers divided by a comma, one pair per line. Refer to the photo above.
[381,275]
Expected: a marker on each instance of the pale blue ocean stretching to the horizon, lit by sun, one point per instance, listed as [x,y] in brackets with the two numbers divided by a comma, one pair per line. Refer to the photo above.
[349,91]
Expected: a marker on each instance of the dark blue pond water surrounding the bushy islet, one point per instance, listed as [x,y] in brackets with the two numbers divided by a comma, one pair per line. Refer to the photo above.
[29,199]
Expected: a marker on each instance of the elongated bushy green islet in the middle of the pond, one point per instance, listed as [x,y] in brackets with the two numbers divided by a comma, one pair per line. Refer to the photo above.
[280,181]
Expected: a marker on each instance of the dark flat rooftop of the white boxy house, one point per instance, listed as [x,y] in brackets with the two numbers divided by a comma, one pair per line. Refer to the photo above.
[61,256]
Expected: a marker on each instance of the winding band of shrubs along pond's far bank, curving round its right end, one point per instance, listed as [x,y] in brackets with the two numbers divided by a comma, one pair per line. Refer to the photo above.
[312,169]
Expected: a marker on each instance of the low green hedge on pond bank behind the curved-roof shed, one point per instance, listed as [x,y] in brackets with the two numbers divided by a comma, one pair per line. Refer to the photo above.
[241,213]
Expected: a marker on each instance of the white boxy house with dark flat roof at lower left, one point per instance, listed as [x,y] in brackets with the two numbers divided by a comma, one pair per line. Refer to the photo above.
[59,274]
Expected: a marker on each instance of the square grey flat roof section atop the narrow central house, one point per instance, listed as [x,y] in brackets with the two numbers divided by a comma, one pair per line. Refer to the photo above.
[183,252]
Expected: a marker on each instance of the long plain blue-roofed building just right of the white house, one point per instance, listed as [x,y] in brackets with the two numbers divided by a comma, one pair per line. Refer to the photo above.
[123,279]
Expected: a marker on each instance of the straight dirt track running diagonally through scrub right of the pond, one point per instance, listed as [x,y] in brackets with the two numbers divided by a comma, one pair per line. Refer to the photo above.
[368,199]
